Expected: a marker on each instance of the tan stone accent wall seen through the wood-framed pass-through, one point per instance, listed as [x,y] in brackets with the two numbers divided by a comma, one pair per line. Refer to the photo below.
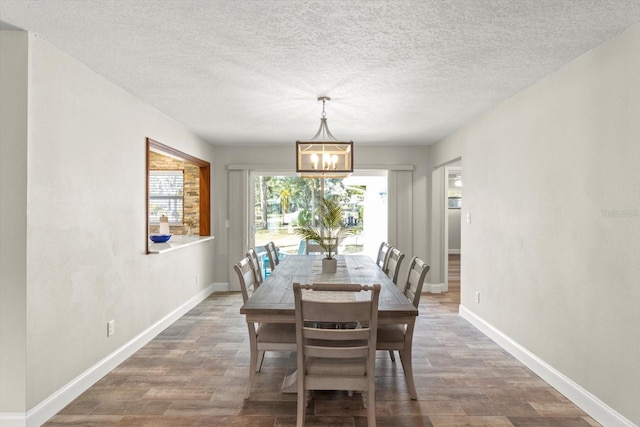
[191,192]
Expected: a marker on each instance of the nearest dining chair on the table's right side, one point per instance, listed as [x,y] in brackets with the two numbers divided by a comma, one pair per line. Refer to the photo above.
[399,337]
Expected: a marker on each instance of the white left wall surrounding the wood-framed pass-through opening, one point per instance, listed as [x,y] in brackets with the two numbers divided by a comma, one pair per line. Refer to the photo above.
[85,230]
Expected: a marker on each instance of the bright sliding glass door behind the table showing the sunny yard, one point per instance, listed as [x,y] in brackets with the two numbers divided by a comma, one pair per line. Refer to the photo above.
[281,202]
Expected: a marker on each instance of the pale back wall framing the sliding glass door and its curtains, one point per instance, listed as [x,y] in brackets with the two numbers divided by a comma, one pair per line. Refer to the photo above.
[283,158]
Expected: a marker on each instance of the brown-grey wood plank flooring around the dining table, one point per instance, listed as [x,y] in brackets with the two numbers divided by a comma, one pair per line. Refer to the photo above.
[194,374]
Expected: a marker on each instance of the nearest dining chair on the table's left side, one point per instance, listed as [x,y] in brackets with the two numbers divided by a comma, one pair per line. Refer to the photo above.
[263,336]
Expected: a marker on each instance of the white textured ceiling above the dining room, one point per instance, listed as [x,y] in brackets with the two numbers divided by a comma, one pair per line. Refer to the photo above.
[249,72]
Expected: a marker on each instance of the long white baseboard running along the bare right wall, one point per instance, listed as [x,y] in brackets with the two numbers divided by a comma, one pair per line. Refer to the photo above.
[589,403]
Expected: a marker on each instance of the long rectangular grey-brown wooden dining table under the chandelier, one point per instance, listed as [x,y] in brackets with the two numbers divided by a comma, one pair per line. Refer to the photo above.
[273,300]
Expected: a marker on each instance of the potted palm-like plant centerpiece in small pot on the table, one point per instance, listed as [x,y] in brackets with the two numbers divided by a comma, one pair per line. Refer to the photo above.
[327,233]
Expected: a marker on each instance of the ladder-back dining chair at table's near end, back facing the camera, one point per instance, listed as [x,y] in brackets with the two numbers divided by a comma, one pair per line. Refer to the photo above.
[336,359]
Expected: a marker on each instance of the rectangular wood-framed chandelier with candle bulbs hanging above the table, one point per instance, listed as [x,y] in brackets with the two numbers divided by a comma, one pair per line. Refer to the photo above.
[324,155]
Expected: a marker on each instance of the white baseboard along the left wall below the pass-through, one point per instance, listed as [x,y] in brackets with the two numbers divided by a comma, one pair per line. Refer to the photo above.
[50,406]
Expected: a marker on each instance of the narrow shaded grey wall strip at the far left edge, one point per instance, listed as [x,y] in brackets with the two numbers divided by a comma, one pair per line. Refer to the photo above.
[13,220]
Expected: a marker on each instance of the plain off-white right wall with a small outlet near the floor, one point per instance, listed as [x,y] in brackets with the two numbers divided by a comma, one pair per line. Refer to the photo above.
[551,184]
